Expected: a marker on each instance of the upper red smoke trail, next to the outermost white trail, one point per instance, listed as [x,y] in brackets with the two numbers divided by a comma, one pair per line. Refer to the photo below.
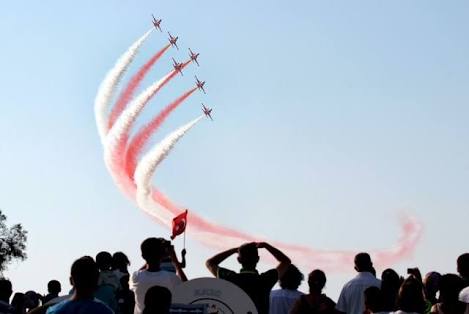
[135,81]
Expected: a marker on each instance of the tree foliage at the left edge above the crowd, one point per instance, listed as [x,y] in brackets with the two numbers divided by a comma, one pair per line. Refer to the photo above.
[12,242]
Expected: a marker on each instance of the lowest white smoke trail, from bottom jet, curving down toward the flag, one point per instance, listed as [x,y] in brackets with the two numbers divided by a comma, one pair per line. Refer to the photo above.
[147,166]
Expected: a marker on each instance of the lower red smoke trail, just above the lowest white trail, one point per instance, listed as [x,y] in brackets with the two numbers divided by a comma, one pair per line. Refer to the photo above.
[141,138]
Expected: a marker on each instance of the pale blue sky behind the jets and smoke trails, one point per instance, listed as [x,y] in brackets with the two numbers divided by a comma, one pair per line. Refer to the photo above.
[330,117]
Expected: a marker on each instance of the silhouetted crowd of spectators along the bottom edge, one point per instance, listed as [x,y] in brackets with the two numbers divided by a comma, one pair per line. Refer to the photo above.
[103,285]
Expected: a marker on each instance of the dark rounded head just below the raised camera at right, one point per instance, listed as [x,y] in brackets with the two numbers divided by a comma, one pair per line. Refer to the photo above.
[410,297]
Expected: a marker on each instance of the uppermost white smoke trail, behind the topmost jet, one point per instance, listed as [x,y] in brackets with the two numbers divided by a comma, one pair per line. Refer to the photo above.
[109,84]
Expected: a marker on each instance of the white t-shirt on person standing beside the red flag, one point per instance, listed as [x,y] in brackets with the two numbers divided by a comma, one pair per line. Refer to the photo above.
[142,280]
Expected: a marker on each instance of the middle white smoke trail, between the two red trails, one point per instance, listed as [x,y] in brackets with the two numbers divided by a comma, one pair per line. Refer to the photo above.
[129,115]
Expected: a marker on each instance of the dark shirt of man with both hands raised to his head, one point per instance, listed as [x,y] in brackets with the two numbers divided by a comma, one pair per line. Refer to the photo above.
[257,286]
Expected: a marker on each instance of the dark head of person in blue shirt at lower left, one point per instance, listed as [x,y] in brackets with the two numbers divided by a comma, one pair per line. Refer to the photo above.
[84,275]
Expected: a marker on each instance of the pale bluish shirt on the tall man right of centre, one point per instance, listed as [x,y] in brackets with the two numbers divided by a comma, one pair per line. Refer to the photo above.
[352,299]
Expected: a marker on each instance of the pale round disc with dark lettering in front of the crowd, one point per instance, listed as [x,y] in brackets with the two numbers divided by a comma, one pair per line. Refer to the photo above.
[216,295]
